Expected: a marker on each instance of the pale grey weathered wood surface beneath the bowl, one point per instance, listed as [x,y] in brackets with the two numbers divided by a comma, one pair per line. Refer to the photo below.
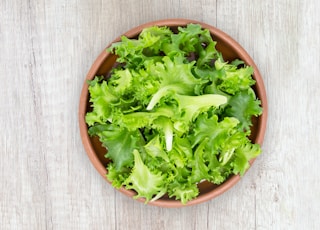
[47,181]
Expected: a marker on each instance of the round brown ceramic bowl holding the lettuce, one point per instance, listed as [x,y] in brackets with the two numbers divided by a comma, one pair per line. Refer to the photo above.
[230,50]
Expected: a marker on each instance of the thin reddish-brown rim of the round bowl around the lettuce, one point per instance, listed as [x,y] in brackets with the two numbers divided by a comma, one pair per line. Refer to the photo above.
[243,55]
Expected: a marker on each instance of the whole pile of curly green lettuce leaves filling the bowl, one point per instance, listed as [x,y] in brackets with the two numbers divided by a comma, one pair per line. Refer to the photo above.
[173,113]
